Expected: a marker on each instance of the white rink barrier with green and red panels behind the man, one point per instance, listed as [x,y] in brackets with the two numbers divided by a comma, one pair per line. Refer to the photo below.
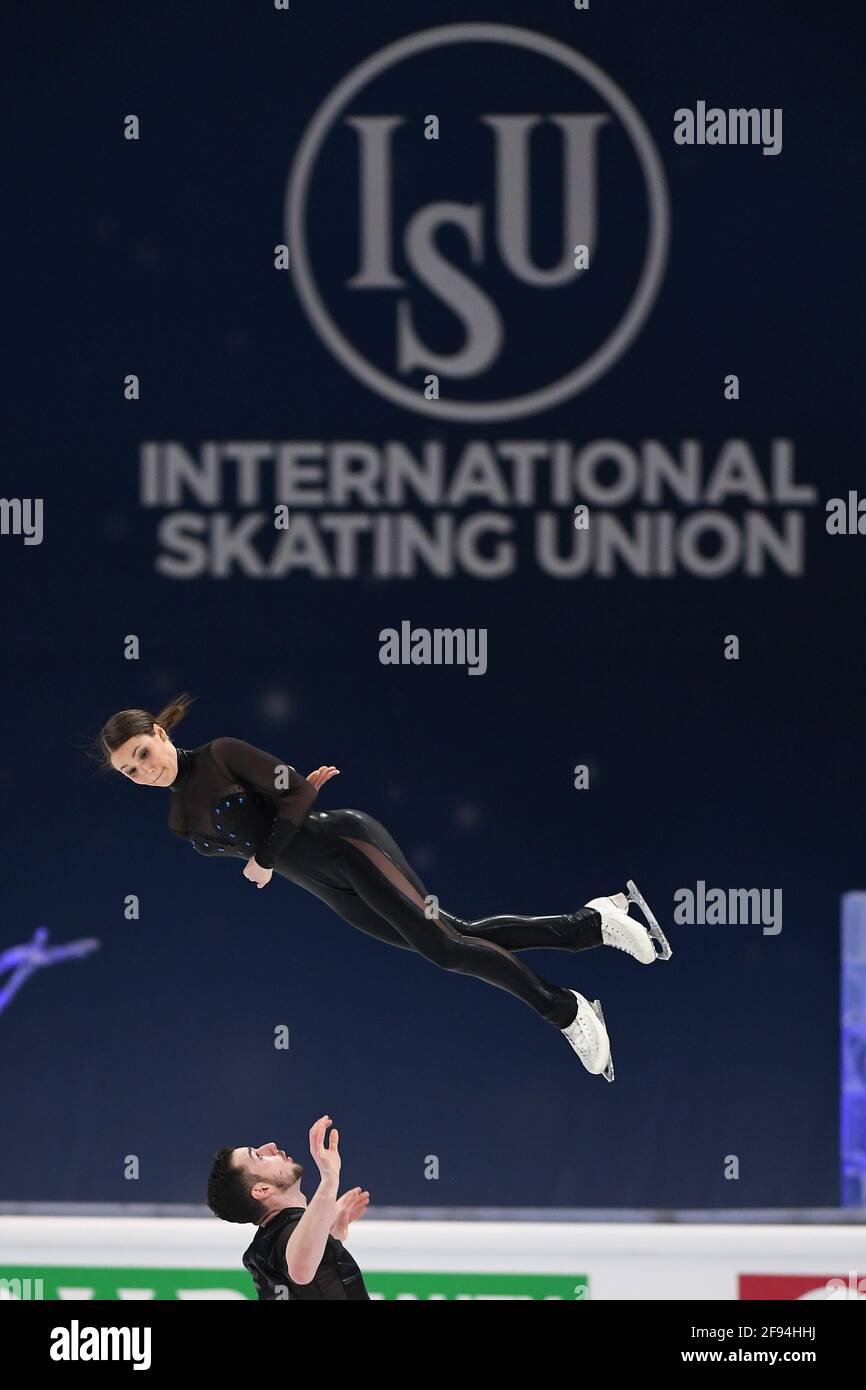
[187,1259]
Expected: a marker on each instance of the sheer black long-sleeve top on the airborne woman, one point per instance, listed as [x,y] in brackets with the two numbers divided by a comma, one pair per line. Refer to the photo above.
[231,799]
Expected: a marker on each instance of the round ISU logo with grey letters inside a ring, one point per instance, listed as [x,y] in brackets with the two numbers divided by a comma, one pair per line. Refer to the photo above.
[509,256]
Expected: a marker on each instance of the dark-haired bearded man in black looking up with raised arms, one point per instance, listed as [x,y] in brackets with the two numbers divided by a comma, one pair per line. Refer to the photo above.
[298,1250]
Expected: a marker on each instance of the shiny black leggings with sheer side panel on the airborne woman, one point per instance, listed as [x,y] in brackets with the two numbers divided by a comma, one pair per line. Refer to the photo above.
[387,900]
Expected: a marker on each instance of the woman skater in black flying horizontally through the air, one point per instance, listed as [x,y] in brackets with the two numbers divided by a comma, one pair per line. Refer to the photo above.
[236,801]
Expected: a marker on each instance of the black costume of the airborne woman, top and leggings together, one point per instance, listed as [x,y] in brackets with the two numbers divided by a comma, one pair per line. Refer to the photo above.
[230,801]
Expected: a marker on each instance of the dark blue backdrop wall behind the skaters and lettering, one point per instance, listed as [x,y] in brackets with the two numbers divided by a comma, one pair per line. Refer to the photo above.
[156,259]
